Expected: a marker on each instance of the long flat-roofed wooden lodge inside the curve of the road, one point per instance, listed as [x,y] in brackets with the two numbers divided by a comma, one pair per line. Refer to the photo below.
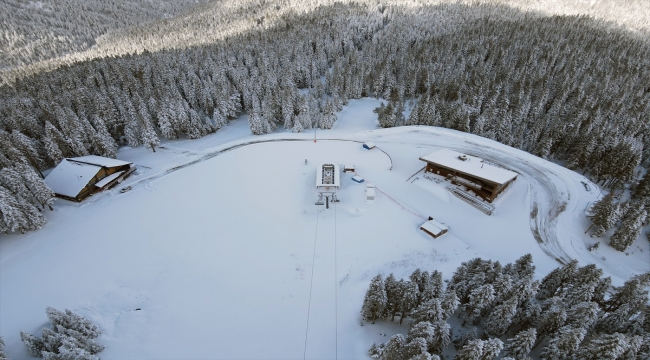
[485,180]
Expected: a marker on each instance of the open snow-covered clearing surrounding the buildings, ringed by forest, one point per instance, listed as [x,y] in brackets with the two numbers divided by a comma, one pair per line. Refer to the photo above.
[226,255]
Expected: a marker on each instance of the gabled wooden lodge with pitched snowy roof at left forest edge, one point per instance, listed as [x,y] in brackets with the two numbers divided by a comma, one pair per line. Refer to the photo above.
[77,178]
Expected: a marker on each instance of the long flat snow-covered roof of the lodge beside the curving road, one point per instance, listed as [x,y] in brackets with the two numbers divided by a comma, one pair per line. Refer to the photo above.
[473,166]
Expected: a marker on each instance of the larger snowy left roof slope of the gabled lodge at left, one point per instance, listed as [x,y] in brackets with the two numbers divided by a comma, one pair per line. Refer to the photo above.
[70,177]
